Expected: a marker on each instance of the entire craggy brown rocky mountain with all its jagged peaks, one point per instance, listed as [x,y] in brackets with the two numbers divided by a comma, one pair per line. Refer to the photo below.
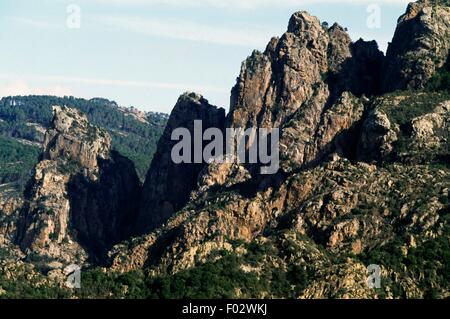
[364,180]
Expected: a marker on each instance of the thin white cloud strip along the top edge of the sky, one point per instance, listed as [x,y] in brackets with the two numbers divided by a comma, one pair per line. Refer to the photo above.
[244,4]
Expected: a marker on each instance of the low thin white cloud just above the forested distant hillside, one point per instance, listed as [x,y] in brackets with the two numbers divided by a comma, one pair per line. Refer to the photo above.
[21,80]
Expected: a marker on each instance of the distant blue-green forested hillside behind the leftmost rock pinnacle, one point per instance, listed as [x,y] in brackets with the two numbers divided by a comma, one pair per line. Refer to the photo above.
[23,121]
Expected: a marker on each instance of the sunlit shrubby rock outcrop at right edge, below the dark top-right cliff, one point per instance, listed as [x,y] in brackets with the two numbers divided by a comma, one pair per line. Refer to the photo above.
[408,127]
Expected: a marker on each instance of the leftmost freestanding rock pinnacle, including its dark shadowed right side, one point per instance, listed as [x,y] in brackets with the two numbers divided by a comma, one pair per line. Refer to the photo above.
[82,197]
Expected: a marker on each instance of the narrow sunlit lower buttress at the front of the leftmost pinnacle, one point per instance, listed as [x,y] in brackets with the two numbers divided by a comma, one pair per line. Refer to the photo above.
[44,224]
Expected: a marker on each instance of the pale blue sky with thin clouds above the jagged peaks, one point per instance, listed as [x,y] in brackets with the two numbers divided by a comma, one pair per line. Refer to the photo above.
[146,53]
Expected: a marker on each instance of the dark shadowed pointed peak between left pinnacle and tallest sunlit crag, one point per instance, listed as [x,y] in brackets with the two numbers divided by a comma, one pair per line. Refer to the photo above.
[168,185]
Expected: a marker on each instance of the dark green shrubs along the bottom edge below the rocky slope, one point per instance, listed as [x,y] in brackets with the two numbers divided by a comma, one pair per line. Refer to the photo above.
[222,276]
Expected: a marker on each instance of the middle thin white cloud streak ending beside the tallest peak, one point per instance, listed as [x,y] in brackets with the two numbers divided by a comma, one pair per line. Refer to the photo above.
[188,30]
